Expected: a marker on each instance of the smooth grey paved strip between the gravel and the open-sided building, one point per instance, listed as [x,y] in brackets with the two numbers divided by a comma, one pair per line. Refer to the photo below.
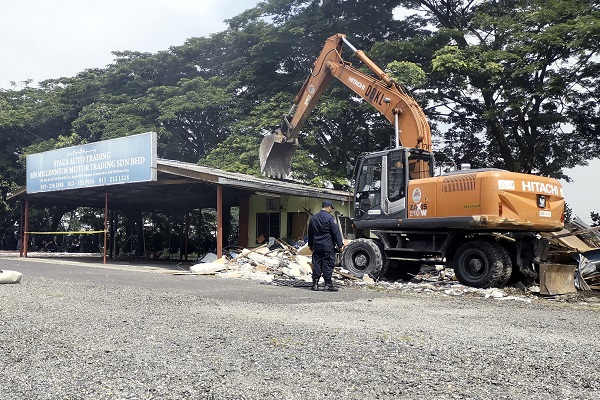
[161,276]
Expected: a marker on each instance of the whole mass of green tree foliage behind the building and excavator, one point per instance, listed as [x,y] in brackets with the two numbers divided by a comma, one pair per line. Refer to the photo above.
[505,83]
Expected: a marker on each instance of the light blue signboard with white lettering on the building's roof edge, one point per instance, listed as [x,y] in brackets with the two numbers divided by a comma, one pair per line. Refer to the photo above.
[111,162]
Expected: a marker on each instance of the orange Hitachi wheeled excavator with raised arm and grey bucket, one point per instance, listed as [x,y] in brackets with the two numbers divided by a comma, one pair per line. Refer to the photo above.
[483,223]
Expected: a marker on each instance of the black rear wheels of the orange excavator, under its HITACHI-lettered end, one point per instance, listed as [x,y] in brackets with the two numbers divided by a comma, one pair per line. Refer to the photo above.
[479,264]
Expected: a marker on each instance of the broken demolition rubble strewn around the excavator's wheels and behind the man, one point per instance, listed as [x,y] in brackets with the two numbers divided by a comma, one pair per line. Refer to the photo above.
[282,264]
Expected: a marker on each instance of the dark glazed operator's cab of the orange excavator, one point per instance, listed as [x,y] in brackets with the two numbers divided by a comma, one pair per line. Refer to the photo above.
[381,182]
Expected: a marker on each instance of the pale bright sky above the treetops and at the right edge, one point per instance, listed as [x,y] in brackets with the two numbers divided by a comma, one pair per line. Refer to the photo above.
[43,39]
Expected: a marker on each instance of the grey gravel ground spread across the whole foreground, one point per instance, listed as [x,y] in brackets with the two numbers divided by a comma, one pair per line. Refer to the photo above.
[85,340]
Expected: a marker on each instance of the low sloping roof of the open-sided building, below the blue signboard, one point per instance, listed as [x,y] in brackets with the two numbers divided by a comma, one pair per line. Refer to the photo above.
[179,186]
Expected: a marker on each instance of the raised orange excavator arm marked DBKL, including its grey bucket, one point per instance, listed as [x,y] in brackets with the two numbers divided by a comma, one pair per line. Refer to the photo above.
[412,129]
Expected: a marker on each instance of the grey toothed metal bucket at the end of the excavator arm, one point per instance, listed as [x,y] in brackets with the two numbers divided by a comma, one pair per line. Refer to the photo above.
[276,156]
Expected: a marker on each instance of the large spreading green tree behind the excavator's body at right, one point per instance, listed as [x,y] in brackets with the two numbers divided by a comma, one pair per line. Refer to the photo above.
[513,77]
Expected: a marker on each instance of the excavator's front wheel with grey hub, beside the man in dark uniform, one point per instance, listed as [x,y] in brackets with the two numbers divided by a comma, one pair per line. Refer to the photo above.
[363,257]
